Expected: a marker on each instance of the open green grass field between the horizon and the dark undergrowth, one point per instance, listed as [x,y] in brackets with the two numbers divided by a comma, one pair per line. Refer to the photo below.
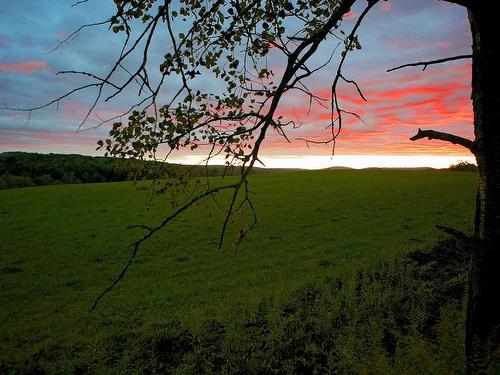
[61,245]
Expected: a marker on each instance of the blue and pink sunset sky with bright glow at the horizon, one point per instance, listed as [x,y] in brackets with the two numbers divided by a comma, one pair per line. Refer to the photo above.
[394,33]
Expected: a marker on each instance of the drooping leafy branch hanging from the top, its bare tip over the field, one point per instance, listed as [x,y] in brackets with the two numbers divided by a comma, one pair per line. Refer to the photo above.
[191,118]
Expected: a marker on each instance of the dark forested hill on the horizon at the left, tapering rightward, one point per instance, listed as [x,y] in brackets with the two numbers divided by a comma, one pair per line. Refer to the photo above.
[22,169]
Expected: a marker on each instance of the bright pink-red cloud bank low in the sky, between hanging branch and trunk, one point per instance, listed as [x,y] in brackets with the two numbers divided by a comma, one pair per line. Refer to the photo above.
[397,106]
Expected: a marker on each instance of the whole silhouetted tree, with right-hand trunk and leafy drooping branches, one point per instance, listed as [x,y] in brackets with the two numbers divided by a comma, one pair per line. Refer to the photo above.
[229,41]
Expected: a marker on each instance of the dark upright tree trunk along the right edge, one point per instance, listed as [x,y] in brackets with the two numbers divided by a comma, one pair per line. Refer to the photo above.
[483,311]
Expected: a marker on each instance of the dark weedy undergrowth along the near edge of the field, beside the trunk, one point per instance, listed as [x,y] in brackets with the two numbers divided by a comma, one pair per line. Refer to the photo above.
[404,317]
